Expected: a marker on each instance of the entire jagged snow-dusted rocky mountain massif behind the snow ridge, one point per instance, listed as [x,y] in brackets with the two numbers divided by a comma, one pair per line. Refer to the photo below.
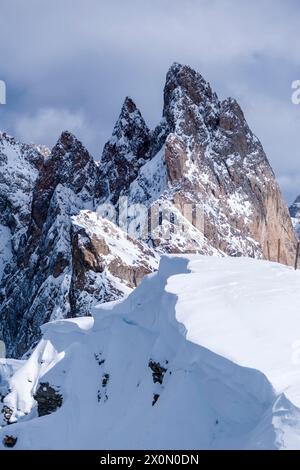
[199,182]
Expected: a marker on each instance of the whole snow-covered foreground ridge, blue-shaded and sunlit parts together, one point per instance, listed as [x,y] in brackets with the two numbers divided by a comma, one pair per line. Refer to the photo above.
[203,355]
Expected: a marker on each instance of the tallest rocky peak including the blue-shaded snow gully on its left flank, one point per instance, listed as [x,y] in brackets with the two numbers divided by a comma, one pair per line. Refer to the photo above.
[210,158]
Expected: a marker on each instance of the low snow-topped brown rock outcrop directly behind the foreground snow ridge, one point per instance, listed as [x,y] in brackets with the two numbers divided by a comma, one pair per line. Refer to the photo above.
[106,263]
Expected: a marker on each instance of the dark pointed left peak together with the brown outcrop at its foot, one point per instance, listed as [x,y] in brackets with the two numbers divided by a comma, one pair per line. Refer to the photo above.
[59,271]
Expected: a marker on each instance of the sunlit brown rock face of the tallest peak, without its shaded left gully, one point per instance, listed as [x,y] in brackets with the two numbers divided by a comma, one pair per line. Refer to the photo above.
[225,165]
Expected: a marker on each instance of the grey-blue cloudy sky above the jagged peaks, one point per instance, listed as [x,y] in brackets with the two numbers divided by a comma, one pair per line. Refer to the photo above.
[68,64]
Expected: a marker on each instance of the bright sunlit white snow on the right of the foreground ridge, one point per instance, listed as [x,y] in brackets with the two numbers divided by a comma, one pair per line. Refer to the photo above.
[249,314]
